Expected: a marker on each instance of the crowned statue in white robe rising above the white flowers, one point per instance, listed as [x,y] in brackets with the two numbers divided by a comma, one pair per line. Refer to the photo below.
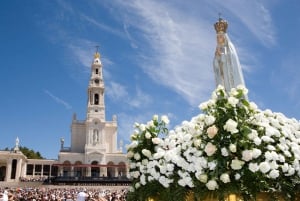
[226,63]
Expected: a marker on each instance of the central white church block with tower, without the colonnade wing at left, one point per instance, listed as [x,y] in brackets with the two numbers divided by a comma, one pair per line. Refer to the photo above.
[93,149]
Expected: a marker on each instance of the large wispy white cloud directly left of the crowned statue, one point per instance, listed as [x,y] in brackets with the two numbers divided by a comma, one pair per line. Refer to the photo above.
[180,50]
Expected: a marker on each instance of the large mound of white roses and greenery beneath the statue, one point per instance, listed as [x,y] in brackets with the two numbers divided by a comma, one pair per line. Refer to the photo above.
[232,147]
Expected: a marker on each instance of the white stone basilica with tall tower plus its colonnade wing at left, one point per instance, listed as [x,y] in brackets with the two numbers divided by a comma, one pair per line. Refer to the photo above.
[94,151]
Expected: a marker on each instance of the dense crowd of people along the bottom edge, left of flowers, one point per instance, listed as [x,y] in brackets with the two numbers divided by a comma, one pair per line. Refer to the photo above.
[62,194]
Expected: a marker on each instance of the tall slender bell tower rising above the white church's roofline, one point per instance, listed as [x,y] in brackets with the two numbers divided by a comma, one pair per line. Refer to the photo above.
[96,105]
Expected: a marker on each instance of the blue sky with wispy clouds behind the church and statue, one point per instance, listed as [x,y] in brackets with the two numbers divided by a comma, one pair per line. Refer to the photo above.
[157,59]
